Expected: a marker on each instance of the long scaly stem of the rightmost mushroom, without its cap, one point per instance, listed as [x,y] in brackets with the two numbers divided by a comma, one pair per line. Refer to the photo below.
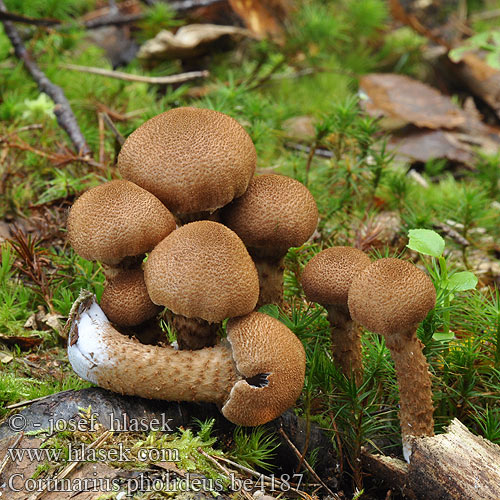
[412,371]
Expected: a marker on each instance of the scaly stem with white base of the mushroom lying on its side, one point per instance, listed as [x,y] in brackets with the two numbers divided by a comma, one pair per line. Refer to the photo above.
[100,354]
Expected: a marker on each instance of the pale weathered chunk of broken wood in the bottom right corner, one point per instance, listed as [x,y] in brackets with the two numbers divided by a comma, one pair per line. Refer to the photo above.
[455,465]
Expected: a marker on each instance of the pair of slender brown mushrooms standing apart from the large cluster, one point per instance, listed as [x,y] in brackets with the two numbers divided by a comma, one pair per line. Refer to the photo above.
[390,297]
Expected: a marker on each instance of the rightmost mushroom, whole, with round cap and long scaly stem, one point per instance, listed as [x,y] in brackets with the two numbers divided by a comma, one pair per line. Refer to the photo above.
[391,297]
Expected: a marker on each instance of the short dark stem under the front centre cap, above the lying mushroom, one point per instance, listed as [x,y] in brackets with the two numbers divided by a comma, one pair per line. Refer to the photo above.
[193,333]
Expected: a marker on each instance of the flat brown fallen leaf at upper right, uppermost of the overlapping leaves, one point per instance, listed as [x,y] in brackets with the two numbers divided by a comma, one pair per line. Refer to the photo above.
[406,100]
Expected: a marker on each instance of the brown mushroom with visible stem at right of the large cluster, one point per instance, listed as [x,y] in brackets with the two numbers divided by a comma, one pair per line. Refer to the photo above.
[275,213]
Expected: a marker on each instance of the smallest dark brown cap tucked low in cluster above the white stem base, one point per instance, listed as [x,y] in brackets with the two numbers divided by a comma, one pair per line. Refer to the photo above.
[125,300]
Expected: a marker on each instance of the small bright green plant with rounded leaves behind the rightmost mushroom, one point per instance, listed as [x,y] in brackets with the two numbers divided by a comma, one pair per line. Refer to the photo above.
[428,242]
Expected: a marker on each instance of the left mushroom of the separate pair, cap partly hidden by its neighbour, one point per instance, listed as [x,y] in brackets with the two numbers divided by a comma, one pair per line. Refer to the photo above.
[326,280]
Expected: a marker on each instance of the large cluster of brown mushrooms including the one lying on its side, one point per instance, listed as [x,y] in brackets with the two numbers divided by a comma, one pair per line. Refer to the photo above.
[191,230]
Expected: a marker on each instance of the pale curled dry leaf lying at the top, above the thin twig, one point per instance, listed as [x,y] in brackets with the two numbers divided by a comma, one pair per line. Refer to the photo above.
[188,41]
